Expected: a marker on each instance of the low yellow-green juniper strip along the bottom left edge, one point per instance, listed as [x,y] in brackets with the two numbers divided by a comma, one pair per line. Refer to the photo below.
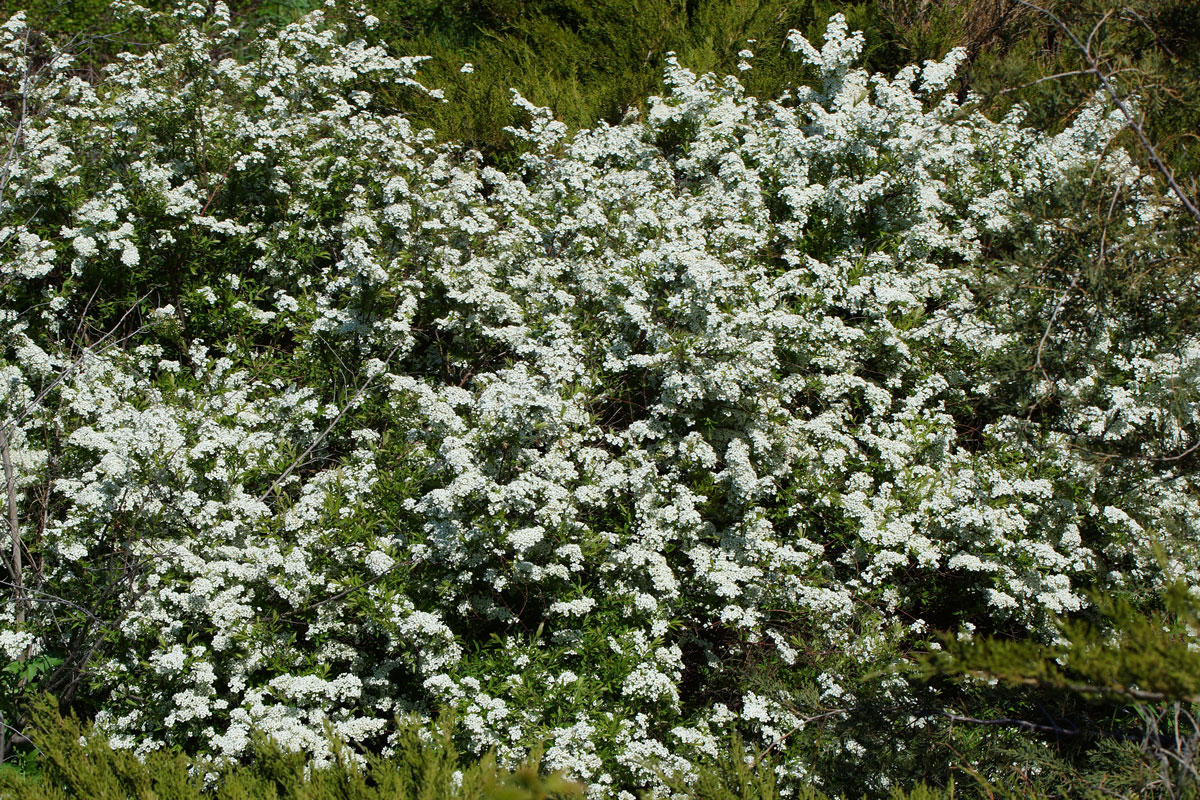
[79,765]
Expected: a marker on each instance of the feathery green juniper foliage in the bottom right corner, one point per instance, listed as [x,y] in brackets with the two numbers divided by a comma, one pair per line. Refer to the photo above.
[1115,694]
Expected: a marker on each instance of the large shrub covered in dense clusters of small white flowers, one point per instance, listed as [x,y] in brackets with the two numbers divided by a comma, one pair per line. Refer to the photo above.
[683,424]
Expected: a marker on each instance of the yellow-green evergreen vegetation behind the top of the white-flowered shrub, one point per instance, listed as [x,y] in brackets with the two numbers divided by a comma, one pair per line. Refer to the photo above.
[592,62]
